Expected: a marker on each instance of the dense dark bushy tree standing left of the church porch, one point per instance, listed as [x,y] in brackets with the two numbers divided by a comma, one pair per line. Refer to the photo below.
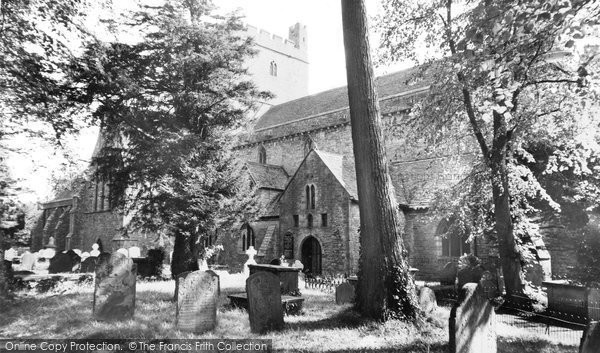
[166,105]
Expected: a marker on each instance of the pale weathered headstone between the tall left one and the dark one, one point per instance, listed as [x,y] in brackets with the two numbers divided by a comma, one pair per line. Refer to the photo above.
[197,300]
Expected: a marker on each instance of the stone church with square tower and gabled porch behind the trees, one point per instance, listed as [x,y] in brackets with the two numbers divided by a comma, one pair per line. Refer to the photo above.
[299,155]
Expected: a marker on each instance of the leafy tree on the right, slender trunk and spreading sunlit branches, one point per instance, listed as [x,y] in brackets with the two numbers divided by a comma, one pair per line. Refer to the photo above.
[509,74]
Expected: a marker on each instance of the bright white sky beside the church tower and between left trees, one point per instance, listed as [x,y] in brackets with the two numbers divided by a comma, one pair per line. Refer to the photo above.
[326,70]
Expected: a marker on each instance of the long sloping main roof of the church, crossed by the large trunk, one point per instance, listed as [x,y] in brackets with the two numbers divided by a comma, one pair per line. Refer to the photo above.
[335,99]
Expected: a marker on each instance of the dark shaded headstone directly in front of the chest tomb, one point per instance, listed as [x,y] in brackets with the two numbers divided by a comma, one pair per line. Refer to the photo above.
[264,302]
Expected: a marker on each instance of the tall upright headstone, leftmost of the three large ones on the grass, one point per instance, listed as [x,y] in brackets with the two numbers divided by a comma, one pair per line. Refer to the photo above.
[114,288]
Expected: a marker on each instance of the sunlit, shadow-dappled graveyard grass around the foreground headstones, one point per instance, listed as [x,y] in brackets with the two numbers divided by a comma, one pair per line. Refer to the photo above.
[66,312]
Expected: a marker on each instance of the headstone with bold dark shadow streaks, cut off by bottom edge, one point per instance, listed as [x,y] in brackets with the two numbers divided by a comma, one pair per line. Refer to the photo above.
[472,322]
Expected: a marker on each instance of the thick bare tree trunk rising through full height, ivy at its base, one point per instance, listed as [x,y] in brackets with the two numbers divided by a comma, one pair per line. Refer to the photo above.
[385,288]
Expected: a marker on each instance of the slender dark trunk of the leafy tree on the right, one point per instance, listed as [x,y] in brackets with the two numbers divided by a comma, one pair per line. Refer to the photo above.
[510,258]
